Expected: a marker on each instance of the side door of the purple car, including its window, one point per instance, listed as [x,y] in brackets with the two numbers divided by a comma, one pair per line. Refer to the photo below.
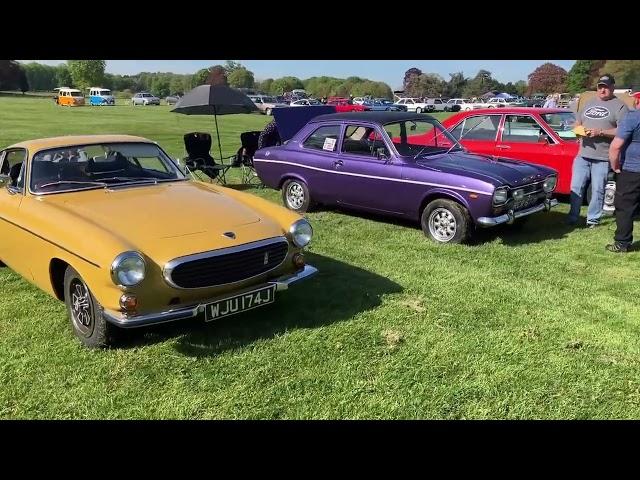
[365,174]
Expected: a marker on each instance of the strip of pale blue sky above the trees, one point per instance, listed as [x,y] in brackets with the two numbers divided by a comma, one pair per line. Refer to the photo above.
[388,71]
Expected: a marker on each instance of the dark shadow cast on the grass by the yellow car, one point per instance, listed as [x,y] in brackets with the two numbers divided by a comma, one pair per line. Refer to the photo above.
[337,293]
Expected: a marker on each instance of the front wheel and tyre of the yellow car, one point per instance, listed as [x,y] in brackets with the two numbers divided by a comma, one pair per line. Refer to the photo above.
[87,322]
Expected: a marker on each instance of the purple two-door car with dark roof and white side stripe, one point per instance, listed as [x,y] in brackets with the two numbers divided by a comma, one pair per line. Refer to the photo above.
[406,165]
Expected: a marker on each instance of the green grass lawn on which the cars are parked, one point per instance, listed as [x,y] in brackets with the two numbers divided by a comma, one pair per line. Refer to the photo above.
[537,323]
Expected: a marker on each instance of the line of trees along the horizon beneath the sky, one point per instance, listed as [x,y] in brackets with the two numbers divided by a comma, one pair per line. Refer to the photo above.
[545,79]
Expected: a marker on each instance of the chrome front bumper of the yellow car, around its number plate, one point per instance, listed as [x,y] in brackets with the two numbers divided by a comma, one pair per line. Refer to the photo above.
[183,313]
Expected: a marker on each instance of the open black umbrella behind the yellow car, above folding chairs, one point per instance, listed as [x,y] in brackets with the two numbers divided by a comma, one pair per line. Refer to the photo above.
[214,100]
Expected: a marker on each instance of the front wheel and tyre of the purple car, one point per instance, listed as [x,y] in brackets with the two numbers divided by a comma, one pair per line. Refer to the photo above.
[445,221]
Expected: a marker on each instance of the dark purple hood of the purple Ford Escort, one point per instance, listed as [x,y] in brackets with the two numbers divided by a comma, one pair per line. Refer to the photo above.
[503,170]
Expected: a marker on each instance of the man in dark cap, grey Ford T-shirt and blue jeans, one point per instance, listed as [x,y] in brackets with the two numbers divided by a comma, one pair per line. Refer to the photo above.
[600,118]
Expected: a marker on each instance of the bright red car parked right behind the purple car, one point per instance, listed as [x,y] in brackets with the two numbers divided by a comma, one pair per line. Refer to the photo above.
[541,135]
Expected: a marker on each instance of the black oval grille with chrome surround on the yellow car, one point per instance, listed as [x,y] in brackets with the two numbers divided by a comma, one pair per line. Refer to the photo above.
[227,265]
